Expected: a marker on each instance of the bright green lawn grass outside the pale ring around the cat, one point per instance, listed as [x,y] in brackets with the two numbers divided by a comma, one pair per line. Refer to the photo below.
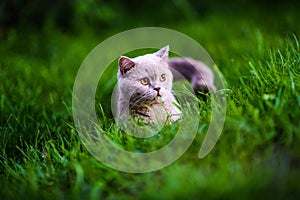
[257,156]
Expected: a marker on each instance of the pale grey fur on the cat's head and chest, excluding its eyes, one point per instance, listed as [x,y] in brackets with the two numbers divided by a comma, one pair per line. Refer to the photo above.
[144,102]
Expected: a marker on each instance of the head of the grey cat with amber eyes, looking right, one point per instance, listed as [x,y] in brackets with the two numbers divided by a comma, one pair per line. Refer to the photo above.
[145,78]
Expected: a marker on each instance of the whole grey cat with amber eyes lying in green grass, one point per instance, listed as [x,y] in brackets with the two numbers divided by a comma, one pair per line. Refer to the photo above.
[145,85]
